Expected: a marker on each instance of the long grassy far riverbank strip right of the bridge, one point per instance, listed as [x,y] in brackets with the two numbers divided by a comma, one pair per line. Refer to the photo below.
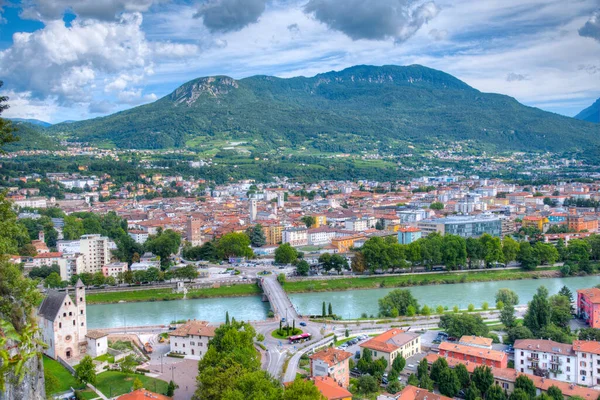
[409,280]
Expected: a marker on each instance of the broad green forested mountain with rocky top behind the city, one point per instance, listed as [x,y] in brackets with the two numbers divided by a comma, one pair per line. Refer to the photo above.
[360,108]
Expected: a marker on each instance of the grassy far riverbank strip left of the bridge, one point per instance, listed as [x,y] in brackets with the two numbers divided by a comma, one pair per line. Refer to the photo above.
[167,294]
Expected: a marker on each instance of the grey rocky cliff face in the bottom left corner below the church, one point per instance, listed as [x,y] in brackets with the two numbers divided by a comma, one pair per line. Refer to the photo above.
[32,385]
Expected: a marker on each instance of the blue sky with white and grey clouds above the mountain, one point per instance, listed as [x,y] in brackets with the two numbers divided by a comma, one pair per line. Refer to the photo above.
[78,59]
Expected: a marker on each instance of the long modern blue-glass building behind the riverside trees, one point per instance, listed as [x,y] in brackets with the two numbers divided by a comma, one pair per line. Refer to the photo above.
[465,226]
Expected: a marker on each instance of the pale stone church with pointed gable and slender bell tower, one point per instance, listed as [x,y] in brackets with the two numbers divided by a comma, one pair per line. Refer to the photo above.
[63,323]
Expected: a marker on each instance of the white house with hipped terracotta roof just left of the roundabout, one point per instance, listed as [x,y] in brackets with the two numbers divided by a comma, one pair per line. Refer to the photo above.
[191,338]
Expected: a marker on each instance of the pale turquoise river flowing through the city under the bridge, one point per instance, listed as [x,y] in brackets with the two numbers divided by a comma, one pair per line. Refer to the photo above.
[348,304]
